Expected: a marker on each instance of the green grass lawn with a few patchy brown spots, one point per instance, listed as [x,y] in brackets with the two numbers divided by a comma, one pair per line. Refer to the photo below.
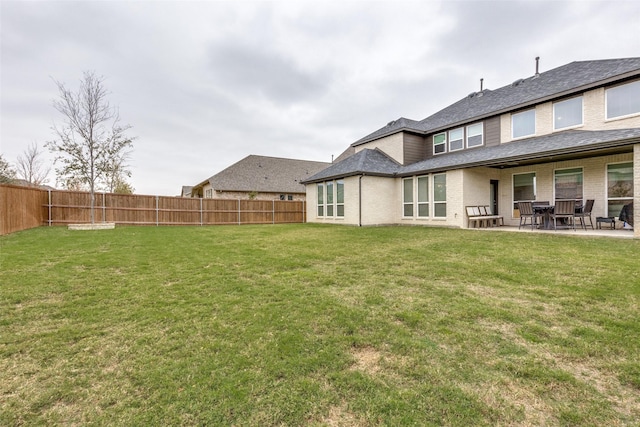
[318,325]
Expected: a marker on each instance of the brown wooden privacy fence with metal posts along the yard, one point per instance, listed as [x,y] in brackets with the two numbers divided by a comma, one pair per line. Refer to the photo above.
[57,207]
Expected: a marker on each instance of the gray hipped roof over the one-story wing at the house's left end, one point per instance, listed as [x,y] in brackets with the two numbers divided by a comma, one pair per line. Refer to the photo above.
[367,161]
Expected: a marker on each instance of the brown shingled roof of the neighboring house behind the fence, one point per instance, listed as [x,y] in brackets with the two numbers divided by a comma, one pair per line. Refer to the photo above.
[265,174]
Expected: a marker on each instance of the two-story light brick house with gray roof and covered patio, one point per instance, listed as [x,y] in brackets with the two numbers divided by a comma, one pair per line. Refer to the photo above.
[569,133]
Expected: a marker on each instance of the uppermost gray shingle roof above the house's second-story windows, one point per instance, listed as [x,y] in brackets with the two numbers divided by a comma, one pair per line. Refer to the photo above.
[558,82]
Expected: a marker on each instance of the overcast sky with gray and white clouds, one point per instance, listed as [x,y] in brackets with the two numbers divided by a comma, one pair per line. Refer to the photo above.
[204,84]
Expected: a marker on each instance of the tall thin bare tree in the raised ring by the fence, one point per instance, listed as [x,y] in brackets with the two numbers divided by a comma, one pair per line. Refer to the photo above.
[91,136]
